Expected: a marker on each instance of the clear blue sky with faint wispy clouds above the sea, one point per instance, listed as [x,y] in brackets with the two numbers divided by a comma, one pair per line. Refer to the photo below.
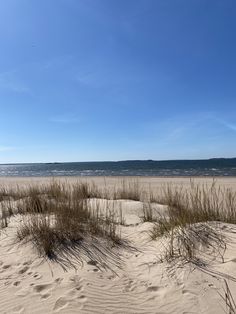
[86,80]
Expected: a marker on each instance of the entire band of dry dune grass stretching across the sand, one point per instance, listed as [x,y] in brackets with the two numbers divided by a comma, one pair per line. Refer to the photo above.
[59,214]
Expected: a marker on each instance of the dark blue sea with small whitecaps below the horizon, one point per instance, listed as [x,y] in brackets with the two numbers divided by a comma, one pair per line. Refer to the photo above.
[210,167]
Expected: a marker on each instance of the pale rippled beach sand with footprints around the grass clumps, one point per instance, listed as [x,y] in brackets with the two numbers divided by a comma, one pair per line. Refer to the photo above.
[134,281]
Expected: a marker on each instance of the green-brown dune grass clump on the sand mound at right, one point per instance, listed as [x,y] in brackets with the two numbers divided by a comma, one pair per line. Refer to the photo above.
[192,220]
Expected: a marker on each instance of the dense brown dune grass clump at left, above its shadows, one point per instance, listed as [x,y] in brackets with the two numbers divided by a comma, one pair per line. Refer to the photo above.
[59,215]
